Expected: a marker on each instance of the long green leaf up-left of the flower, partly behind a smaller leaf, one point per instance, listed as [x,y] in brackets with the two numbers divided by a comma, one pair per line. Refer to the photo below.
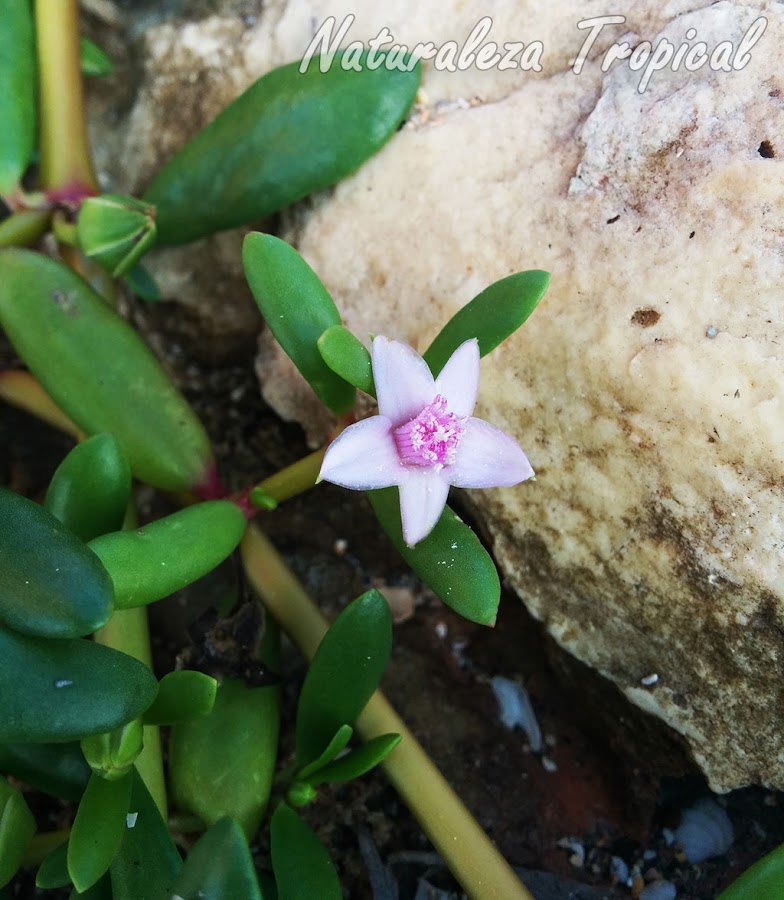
[297,309]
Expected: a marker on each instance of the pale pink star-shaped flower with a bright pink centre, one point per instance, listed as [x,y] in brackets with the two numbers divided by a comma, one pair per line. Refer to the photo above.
[424,438]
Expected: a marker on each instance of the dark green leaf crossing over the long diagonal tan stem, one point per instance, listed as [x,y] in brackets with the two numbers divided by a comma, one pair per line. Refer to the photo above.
[345,671]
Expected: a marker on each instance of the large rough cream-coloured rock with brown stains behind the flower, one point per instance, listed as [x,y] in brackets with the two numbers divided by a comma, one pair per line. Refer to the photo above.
[647,388]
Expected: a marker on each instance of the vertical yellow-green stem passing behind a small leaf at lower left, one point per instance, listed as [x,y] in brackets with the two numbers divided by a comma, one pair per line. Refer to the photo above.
[127,631]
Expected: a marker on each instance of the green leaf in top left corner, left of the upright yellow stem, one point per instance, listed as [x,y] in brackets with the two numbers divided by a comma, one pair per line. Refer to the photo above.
[17,97]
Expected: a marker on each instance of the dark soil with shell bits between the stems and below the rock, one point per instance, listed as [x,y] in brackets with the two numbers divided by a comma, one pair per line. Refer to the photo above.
[610,779]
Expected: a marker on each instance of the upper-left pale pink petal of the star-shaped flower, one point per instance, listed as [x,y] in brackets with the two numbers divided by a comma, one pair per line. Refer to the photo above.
[404,383]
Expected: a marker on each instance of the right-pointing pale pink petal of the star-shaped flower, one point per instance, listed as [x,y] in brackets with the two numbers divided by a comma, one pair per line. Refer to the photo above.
[487,457]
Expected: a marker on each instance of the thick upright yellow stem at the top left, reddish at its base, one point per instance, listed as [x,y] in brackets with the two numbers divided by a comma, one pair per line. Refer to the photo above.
[65,157]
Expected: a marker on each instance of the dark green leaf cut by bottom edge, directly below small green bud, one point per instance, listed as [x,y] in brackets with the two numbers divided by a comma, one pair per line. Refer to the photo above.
[301,865]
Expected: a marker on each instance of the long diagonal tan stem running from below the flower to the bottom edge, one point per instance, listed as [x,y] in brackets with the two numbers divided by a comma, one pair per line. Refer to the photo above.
[483,873]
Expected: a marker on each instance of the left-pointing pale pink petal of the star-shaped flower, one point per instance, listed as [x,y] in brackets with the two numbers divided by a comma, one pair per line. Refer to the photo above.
[363,457]
